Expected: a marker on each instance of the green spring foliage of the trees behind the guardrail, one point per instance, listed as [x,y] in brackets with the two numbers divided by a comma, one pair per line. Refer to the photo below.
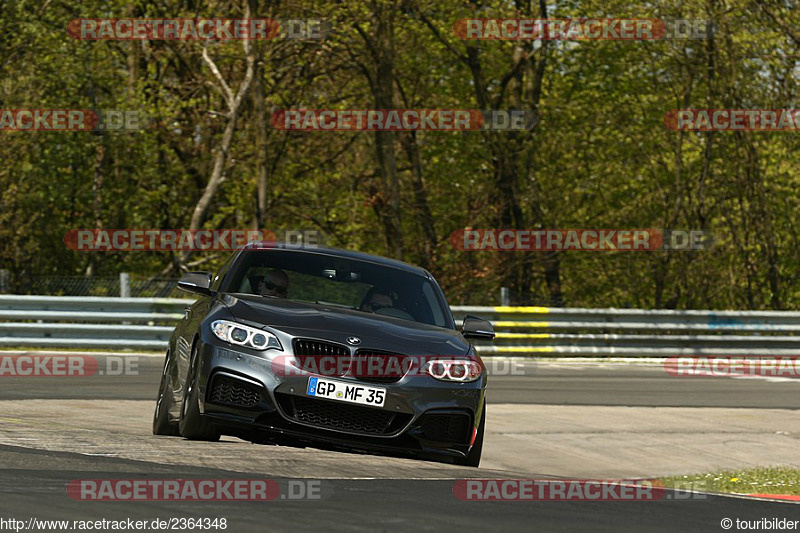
[600,156]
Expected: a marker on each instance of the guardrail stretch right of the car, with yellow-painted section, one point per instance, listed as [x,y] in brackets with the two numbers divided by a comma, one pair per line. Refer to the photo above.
[638,332]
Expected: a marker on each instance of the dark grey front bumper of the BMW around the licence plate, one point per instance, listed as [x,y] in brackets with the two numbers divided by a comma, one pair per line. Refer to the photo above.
[243,395]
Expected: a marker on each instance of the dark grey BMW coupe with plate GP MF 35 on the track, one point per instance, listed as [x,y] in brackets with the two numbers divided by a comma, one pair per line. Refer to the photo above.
[328,348]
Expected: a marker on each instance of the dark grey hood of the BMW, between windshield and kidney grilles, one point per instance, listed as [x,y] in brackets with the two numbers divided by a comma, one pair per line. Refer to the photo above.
[335,324]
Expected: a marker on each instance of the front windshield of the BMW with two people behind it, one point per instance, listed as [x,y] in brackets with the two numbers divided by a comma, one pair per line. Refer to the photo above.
[336,281]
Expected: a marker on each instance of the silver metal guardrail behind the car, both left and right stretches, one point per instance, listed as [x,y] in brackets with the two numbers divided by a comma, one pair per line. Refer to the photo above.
[146,323]
